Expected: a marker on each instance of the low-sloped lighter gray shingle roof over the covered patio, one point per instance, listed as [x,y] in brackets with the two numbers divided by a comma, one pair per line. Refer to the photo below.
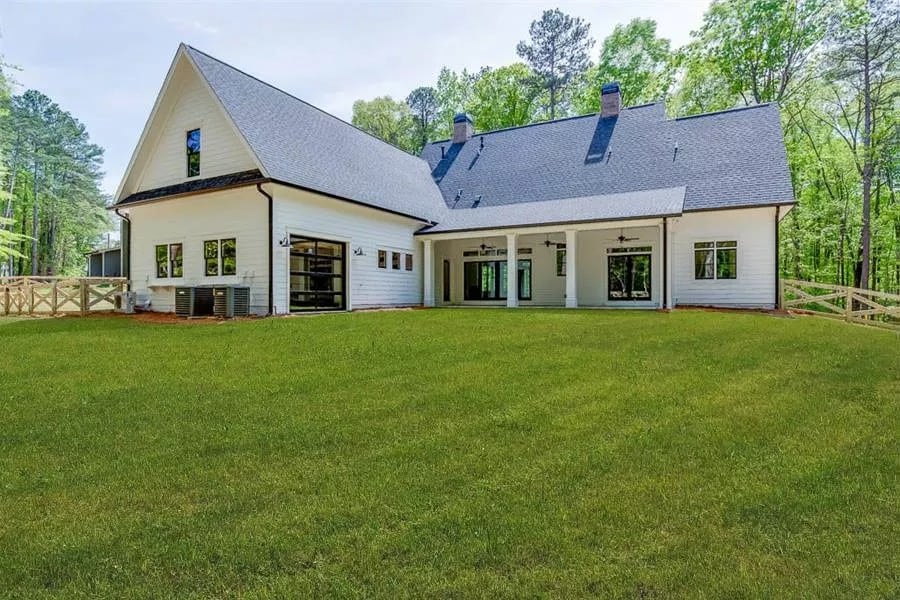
[613,207]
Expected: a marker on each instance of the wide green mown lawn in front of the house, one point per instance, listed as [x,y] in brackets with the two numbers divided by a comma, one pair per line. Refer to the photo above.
[451,453]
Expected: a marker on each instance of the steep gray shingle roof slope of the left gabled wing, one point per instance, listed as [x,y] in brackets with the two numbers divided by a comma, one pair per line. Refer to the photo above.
[301,145]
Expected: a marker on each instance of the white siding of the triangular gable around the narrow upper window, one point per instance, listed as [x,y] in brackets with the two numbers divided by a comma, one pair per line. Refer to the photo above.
[188,104]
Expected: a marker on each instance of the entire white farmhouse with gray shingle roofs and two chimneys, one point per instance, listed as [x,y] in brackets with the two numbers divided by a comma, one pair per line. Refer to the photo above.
[236,183]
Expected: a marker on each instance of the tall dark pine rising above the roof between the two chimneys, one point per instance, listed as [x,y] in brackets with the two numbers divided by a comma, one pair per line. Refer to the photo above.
[558,53]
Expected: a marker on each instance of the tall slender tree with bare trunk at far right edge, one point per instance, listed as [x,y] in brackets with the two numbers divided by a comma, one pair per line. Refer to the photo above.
[864,67]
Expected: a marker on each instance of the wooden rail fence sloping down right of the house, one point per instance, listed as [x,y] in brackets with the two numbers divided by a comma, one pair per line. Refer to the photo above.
[854,305]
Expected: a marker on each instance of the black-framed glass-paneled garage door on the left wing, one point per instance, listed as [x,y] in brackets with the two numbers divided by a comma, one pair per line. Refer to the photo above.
[318,274]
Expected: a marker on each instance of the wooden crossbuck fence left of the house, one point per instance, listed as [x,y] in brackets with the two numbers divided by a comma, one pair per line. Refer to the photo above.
[54,295]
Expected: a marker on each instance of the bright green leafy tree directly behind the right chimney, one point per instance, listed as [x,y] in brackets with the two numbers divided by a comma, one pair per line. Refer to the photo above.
[633,56]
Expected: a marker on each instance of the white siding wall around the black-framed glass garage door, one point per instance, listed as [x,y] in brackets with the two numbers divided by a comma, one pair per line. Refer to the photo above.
[364,229]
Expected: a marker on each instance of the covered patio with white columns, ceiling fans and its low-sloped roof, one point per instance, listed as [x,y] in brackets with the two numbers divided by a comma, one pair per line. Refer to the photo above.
[603,251]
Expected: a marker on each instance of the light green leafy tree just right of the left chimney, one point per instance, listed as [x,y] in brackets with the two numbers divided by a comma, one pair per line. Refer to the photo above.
[504,97]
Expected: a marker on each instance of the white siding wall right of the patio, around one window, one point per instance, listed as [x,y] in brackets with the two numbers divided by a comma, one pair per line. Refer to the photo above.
[754,230]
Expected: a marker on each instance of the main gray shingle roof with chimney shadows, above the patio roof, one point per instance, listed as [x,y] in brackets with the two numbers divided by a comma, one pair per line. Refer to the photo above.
[727,159]
